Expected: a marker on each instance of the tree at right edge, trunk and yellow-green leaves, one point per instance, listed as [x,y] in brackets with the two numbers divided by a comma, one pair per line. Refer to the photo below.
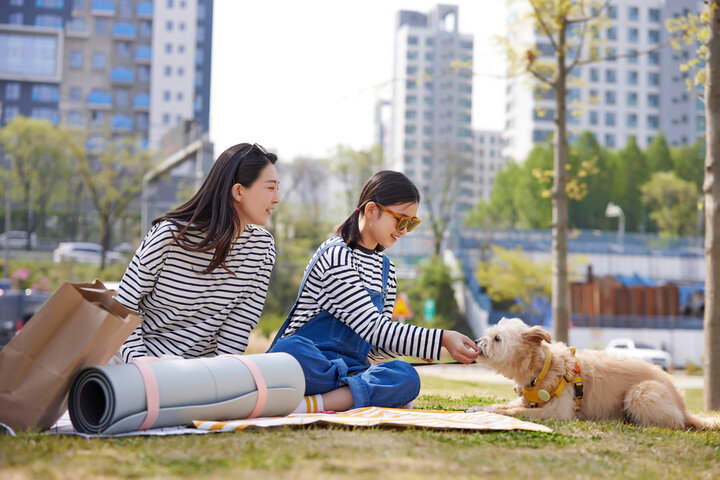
[705,29]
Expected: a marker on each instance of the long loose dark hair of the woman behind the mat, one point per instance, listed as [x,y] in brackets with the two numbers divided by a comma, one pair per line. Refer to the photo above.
[211,210]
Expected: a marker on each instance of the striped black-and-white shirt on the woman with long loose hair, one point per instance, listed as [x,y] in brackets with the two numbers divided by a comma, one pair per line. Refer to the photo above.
[186,312]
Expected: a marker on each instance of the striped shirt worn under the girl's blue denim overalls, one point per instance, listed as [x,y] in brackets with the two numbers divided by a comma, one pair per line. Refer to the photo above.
[337,284]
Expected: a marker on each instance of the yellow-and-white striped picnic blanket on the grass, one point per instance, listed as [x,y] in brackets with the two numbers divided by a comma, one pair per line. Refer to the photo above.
[373,416]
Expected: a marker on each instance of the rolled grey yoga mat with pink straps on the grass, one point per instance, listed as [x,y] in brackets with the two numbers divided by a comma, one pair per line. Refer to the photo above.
[112,398]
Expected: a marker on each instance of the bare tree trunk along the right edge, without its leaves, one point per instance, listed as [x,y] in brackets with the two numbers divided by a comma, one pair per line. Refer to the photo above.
[711,188]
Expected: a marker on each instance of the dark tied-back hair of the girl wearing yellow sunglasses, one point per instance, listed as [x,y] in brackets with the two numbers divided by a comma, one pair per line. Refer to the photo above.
[386,188]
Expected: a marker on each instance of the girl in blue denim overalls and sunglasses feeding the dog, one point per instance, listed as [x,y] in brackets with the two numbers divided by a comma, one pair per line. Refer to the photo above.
[343,310]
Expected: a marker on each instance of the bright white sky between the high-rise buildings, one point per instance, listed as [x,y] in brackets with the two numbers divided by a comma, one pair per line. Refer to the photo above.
[300,77]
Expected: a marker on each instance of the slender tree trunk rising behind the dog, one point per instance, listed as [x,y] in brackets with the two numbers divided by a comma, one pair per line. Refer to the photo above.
[559,298]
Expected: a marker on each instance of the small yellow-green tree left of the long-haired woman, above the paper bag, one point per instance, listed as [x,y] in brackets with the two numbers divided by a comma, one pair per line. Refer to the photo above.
[112,169]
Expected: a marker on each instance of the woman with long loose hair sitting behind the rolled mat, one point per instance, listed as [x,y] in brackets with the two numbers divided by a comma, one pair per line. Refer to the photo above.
[200,276]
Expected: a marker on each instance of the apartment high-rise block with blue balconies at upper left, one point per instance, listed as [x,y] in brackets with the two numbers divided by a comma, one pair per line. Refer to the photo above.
[139,67]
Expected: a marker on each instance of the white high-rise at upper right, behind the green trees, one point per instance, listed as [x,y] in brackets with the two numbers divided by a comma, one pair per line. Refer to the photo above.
[639,94]
